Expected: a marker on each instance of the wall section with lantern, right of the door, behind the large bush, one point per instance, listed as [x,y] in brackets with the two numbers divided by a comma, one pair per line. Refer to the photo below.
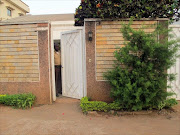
[107,37]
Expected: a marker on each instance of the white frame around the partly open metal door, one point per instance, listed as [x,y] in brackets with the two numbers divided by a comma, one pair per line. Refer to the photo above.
[53,87]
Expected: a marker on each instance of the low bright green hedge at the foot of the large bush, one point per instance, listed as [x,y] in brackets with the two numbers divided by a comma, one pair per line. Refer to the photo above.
[87,105]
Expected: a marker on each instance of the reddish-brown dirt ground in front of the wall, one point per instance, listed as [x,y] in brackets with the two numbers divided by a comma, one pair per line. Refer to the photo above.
[64,117]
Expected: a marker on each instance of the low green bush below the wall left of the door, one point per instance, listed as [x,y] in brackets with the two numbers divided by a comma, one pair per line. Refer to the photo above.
[19,100]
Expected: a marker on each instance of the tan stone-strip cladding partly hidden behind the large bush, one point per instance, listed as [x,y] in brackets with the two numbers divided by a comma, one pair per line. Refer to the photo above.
[109,38]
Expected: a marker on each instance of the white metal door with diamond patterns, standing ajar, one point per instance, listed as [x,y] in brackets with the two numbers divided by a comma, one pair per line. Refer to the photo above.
[73,64]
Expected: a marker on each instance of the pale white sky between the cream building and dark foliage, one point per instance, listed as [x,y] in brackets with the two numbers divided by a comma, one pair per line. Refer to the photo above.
[38,7]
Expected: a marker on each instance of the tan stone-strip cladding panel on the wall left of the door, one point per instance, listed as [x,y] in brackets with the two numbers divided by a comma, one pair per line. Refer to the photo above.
[19,60]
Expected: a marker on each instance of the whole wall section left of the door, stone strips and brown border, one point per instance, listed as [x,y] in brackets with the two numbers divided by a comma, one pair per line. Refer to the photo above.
[25,60]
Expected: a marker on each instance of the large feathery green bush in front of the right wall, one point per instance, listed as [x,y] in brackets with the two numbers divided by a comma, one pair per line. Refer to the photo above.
[139,79]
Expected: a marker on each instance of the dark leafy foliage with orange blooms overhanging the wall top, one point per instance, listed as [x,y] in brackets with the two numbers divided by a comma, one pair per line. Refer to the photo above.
[126,9]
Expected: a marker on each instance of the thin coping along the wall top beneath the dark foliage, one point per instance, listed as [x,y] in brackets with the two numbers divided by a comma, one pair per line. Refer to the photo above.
[142,19]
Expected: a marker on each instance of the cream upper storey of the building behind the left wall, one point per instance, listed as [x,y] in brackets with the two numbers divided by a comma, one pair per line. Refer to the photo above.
[17,6]
